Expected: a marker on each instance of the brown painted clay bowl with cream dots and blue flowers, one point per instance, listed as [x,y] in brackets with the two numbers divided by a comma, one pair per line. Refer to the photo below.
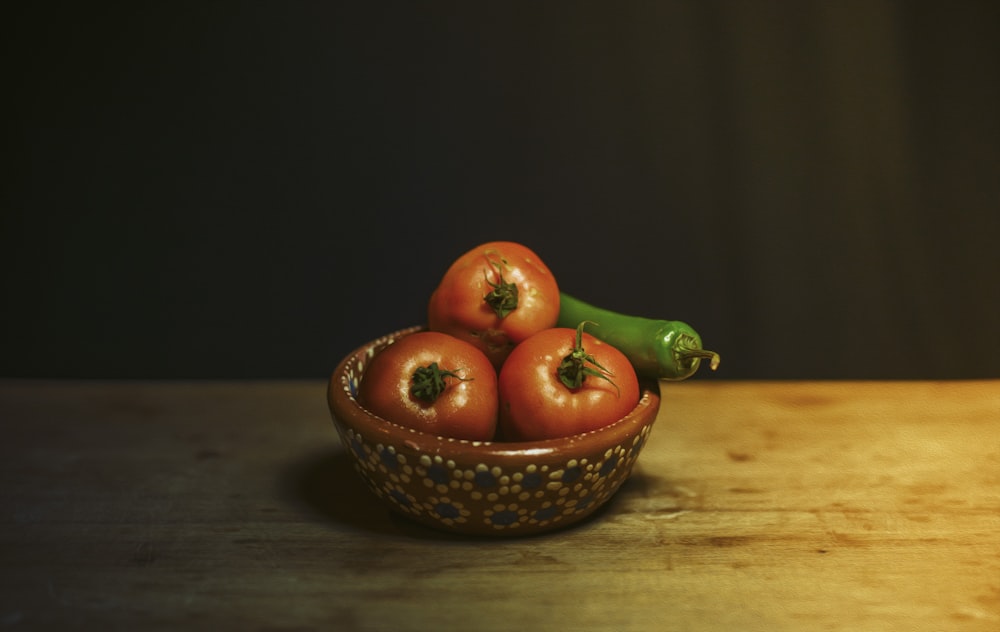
[484,488]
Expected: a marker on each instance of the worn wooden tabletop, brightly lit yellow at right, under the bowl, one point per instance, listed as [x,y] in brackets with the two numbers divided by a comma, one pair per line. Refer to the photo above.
[755,506]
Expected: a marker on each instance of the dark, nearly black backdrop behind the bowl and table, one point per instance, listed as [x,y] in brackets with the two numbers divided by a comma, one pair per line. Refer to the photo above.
[244,190]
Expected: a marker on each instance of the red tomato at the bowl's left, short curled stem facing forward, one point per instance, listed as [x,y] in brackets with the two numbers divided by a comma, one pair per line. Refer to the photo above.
[435,383]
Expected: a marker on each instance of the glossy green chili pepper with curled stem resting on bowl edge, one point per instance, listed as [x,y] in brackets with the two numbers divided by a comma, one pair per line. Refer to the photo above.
[661,349]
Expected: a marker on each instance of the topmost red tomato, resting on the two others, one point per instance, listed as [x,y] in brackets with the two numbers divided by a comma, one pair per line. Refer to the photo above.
[495,296]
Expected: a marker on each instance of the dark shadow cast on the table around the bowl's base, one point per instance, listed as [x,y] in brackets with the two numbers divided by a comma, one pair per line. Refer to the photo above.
[326,484]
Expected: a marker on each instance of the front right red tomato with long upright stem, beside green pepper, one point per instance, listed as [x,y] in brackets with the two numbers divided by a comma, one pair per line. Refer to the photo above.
[536,404]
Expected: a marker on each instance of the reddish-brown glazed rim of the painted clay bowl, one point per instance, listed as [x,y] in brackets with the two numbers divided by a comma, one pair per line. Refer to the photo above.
[349,412]
